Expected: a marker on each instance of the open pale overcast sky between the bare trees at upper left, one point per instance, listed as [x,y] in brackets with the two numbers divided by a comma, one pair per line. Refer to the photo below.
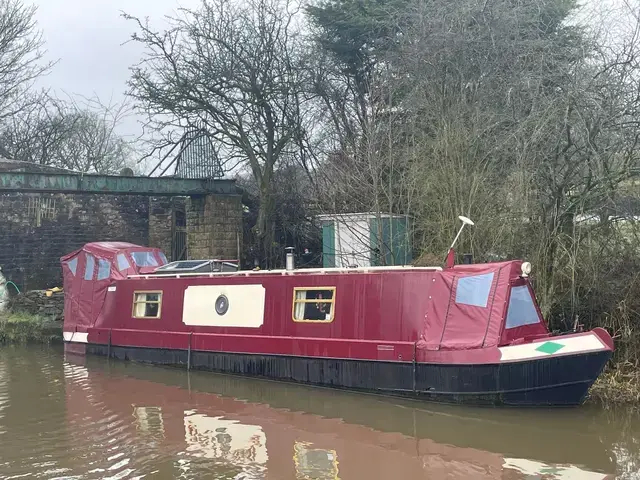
[86,37]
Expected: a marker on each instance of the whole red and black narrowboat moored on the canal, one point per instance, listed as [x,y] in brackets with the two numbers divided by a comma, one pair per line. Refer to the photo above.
[467,333]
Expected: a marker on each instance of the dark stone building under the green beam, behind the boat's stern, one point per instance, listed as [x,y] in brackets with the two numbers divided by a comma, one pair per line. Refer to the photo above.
[37,228]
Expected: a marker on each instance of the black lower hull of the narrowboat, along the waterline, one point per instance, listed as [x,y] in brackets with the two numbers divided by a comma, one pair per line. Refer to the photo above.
[553,381]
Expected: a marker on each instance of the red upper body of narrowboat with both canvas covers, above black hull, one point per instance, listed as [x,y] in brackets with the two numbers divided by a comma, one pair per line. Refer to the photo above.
[375,313]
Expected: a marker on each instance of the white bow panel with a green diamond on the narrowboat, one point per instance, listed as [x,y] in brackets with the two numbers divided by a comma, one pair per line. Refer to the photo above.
[554,346]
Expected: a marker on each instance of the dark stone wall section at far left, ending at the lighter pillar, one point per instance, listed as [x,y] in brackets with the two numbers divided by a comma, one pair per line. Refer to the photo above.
[37,229]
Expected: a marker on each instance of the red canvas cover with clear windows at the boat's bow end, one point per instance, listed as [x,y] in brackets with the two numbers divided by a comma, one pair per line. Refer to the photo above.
[467,307]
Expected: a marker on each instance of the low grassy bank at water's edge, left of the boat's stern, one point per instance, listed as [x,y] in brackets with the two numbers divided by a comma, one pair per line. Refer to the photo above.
[23,328]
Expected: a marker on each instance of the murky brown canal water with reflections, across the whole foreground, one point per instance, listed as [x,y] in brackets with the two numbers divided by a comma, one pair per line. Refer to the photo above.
[71,418]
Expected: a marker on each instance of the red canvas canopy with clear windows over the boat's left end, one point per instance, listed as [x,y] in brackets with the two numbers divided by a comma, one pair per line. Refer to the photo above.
[89,271]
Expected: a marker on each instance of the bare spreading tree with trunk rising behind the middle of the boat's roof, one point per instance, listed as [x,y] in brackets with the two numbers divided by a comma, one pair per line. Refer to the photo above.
[230,68]
